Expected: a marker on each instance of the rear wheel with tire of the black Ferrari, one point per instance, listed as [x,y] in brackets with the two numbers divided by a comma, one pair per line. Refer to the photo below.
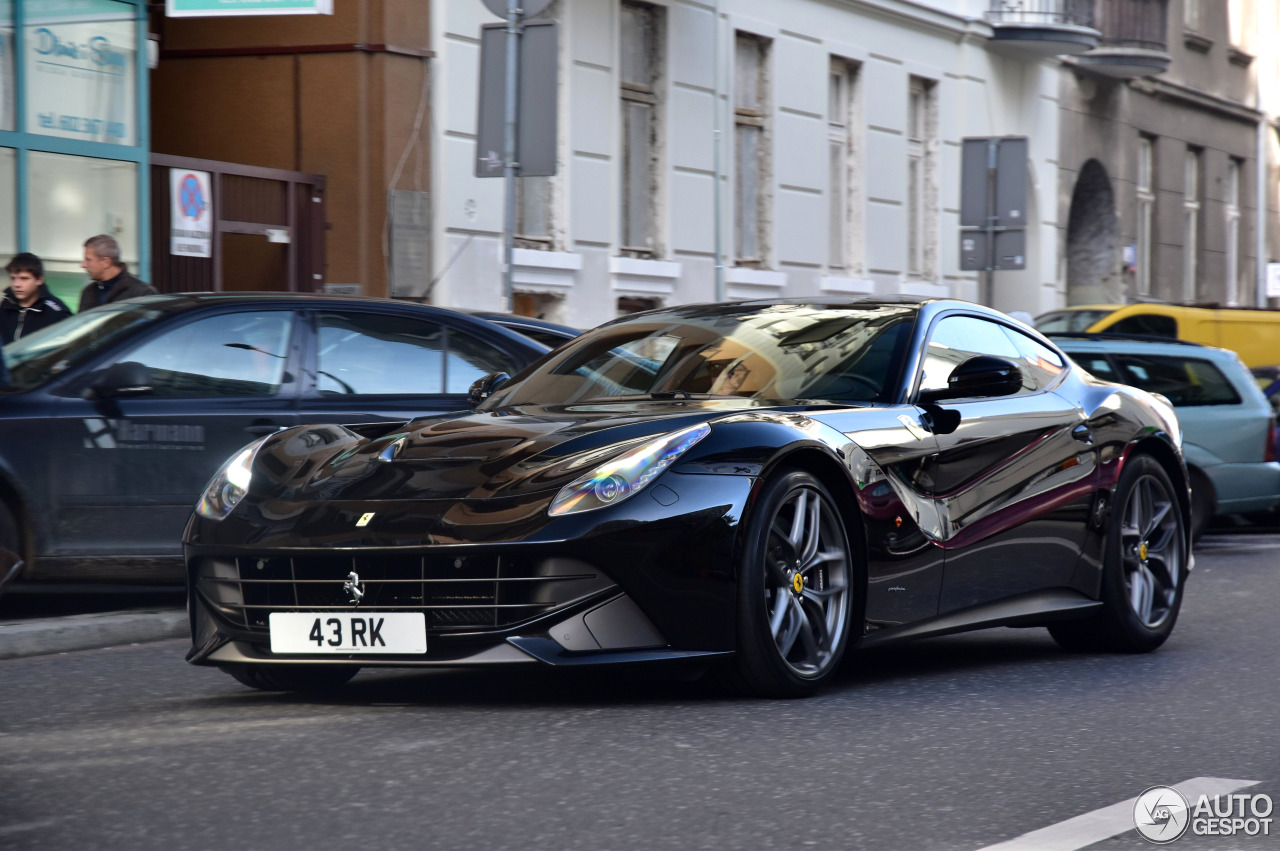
[1145,568]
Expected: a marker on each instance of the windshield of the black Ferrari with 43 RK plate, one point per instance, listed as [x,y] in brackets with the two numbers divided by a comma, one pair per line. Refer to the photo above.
[774,353]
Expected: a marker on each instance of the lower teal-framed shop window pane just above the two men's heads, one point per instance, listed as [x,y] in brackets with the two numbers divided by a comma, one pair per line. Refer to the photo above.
[71,199]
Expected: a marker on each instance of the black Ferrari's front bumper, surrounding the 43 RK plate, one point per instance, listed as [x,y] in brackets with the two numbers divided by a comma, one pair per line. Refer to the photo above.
[638,583]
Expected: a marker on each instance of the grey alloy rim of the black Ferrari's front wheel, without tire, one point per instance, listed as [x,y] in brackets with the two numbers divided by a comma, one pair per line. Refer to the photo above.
[807,583]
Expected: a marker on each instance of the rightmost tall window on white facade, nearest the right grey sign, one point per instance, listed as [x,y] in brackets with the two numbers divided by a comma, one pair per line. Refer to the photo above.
[921,177]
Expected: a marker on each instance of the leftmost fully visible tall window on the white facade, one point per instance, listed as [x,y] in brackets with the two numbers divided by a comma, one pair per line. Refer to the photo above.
[641,61]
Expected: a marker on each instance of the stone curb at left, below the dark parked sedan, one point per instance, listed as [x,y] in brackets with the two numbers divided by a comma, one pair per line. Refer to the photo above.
[45,637]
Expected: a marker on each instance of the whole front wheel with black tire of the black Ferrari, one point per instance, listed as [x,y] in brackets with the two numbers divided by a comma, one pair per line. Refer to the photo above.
[793,633]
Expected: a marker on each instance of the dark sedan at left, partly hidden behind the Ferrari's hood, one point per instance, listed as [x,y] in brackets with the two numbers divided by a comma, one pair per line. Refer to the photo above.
[115,420]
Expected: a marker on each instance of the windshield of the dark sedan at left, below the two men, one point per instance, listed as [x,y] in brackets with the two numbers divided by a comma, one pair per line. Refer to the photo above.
[38,358]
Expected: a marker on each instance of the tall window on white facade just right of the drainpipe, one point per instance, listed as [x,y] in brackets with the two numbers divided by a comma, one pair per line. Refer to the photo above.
[751,149]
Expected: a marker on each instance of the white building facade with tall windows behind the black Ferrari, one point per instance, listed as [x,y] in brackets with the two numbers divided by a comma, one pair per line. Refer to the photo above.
[833,131]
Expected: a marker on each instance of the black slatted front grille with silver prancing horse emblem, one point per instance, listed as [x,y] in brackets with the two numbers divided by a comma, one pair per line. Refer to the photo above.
[458,593]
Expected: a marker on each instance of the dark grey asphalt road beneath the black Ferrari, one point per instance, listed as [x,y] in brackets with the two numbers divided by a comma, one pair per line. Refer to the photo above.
[959,743]
